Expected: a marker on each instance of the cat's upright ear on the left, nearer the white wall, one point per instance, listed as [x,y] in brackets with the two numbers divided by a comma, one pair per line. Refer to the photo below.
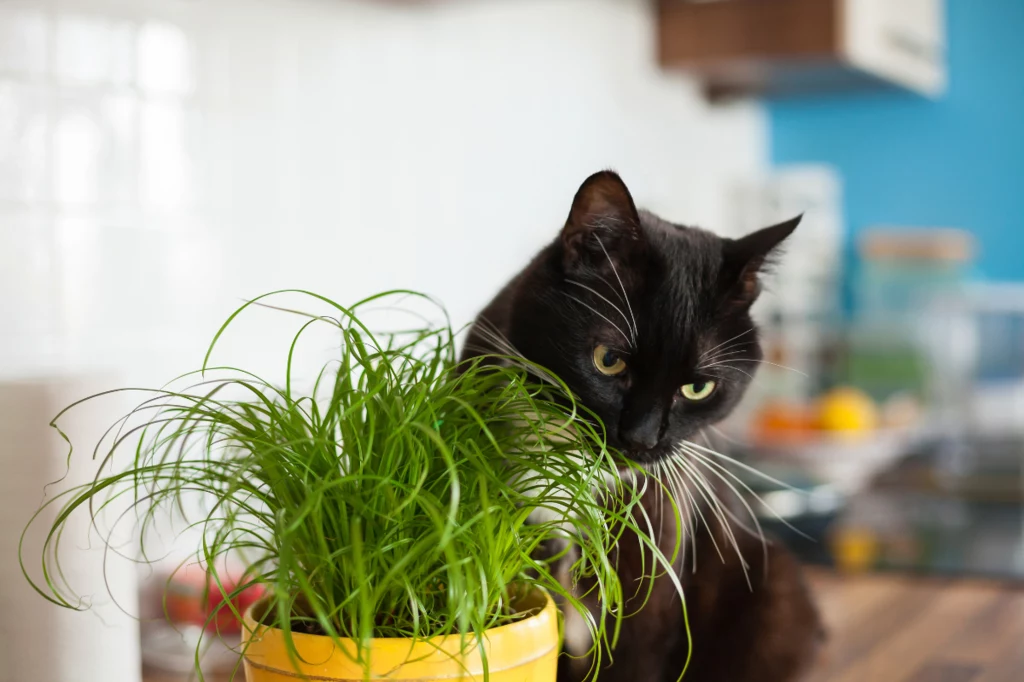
[604,227]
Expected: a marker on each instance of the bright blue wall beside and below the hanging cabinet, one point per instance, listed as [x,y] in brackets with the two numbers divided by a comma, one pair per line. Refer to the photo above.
[909,161]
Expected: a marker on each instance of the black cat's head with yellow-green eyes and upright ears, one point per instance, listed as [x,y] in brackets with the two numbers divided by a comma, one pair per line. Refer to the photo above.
[648,322]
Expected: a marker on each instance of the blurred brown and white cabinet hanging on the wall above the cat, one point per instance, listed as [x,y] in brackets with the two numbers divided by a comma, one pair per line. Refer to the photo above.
[785,48]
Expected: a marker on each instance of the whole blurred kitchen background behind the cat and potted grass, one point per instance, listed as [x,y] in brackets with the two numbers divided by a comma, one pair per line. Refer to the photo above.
[162,160]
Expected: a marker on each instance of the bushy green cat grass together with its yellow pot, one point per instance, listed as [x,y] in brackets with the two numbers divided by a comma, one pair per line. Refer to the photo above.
[393,506]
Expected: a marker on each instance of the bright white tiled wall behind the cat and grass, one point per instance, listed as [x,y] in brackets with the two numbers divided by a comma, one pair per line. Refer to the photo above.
[162,159]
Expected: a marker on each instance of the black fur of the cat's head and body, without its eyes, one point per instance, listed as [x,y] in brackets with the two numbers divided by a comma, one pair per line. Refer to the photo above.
[674,304]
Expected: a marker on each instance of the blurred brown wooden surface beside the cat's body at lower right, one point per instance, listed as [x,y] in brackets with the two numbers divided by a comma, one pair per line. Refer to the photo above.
[911,629]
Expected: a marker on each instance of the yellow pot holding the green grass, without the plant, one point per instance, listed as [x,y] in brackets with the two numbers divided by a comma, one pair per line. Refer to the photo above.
[524,652]
